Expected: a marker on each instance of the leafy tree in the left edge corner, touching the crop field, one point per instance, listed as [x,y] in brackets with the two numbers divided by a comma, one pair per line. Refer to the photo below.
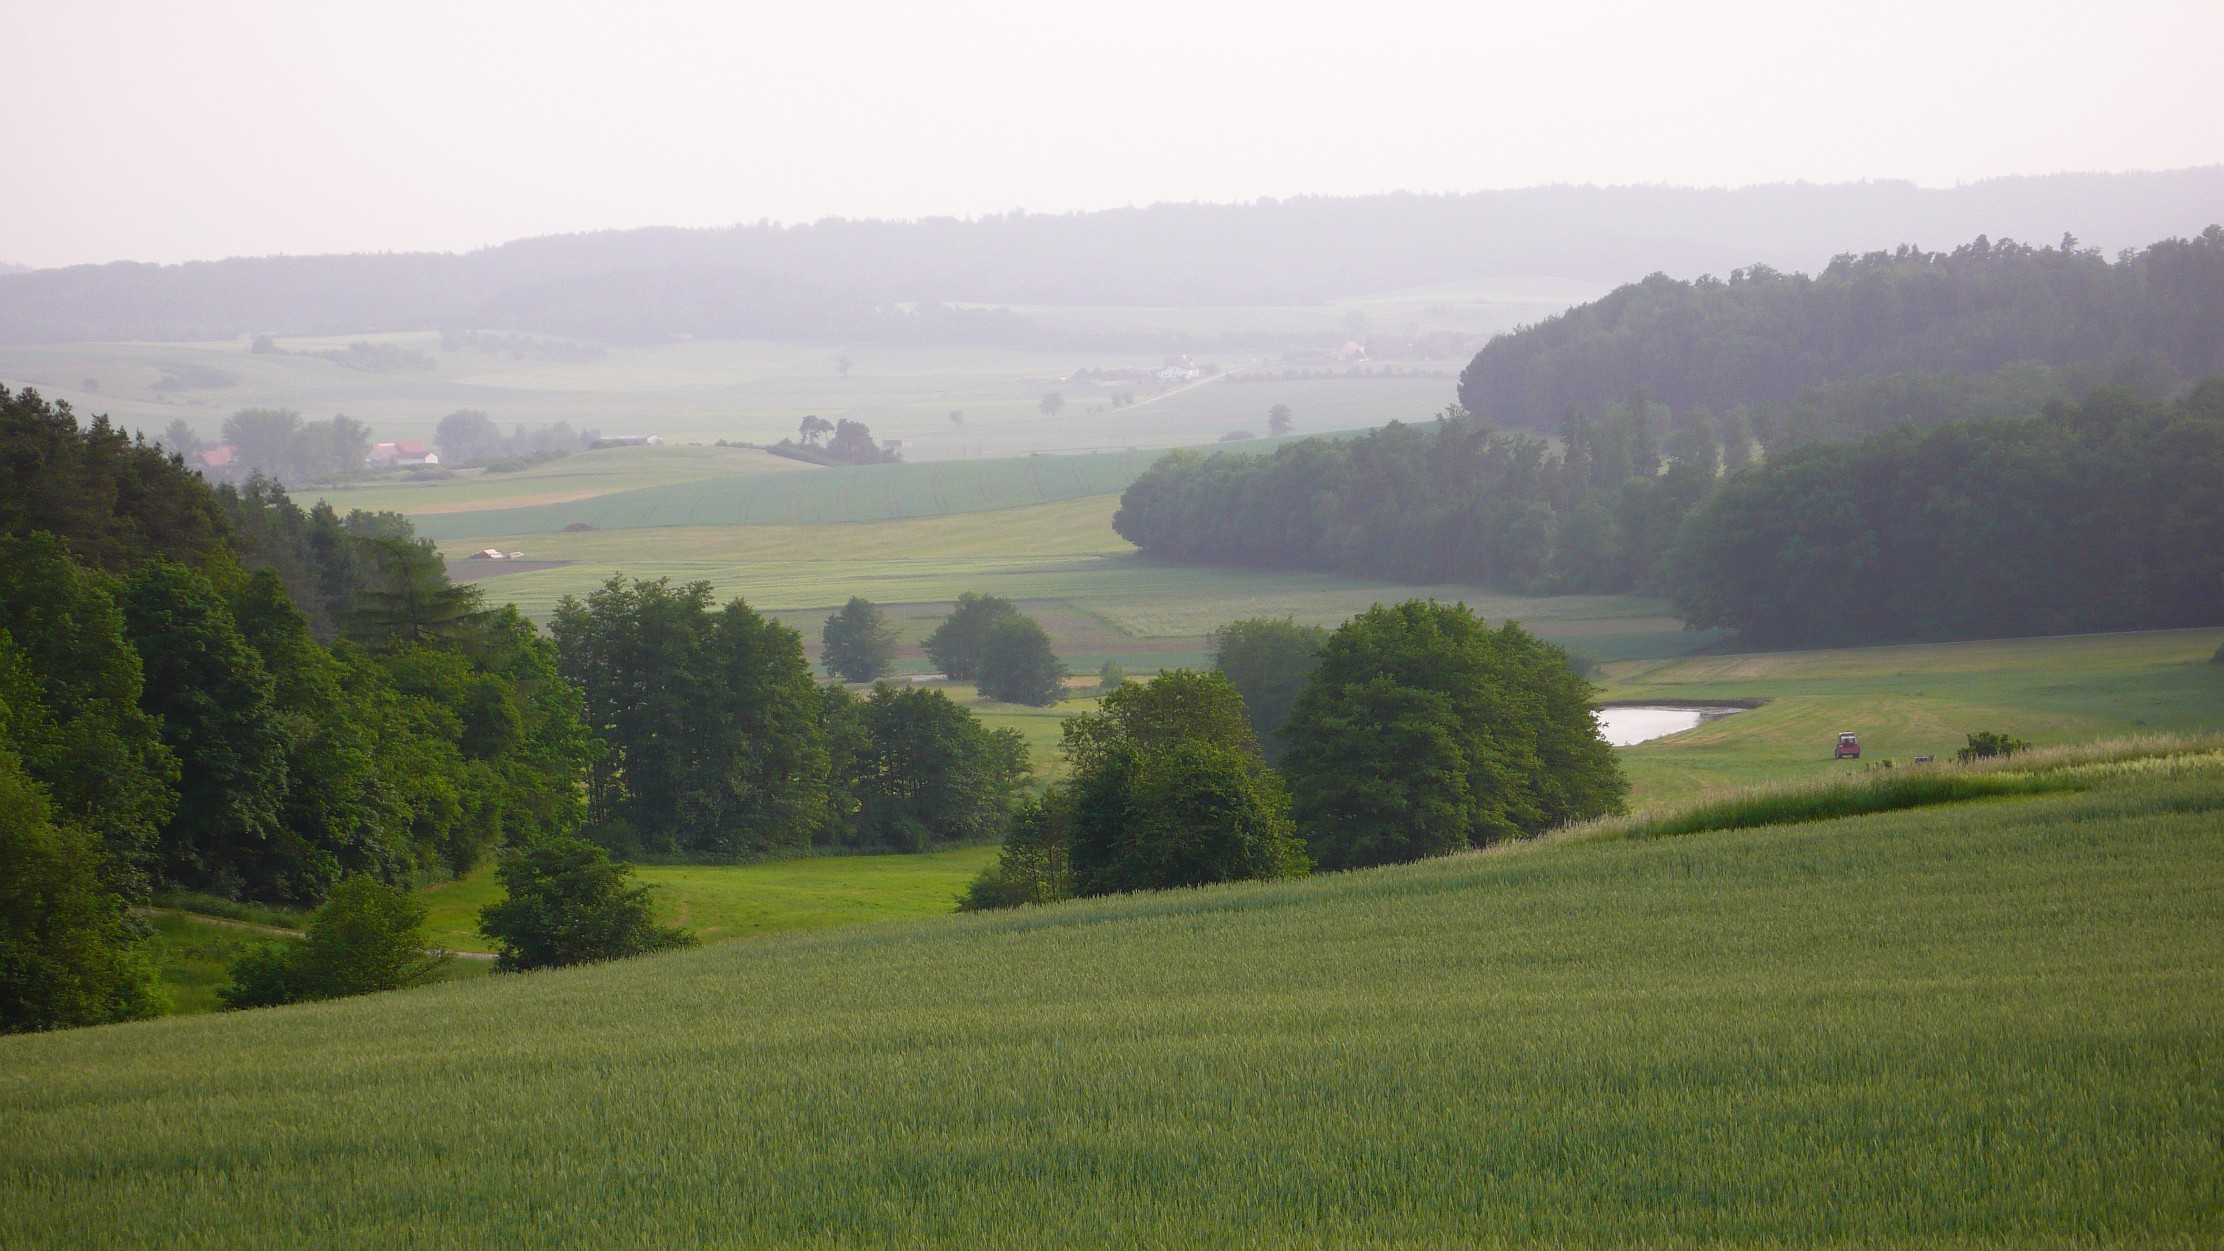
[68,952]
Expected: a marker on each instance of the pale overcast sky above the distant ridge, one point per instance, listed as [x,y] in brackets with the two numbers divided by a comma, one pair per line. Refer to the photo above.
[195,130]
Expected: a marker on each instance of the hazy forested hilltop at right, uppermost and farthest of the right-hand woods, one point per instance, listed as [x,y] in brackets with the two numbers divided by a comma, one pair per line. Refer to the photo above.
[1763,337]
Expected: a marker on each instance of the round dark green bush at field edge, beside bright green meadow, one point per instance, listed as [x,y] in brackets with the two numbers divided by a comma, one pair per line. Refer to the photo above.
[568,903]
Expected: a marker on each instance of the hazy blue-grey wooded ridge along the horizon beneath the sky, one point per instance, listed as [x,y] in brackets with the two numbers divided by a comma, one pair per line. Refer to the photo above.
[860,279]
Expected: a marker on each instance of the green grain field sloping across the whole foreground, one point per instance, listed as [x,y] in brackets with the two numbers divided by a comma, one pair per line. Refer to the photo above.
[1985,1025]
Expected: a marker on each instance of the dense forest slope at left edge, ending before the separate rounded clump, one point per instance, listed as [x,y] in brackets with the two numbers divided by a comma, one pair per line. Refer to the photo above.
[217,691]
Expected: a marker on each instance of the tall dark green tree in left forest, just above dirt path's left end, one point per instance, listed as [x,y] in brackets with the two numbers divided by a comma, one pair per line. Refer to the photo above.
[215,702]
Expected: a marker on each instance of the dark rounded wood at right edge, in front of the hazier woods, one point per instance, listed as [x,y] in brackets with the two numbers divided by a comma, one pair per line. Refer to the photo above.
[2105,515]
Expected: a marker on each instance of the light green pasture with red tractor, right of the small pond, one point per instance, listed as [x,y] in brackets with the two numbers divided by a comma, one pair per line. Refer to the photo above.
[1914,700]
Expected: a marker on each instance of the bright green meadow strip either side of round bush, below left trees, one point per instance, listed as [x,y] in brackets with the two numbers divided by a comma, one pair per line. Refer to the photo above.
[746,900]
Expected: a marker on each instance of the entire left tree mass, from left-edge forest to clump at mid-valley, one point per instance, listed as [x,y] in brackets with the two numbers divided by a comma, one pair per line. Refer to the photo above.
[215,691]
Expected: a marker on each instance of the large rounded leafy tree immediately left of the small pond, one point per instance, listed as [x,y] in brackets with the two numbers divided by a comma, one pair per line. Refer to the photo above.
[1424,731]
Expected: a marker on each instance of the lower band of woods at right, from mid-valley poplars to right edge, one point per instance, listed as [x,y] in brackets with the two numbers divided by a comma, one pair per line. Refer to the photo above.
[2094,515]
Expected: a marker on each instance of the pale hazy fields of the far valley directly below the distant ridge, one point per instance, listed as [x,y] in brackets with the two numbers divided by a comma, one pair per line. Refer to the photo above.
[742,391]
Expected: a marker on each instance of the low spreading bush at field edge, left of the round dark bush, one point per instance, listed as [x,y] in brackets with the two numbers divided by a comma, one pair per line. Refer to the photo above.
[366,938]
